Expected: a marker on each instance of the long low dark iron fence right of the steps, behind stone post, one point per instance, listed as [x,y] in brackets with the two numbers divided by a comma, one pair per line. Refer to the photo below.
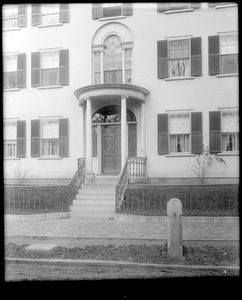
[197,200]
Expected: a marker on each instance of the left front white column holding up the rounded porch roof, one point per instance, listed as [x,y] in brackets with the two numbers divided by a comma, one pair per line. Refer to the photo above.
[89,136]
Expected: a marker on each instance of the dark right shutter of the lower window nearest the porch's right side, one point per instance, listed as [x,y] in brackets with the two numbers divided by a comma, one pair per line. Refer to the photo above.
[196,128]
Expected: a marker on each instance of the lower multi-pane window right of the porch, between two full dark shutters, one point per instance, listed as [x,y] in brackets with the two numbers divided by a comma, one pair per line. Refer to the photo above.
[179,131]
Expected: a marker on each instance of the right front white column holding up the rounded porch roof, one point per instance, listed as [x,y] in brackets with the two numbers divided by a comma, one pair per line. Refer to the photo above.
[123,131]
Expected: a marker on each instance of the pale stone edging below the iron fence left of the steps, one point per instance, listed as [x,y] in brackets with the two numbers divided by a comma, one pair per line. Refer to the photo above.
[36,217]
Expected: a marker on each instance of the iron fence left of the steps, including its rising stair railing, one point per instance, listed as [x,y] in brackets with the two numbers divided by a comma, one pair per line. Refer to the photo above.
[20,199]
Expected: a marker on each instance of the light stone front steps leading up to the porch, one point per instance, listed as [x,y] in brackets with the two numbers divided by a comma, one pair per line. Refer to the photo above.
[96,199]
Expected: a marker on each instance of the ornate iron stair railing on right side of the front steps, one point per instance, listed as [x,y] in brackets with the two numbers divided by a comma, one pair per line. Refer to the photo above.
[134,170]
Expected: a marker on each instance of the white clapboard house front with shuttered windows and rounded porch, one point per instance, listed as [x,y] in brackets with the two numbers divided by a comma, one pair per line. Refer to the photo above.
[109,81]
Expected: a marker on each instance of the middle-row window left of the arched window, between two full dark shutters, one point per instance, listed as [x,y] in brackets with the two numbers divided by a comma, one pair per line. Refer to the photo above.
[50,68]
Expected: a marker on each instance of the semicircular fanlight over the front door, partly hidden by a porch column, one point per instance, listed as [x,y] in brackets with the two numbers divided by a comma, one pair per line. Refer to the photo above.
[112,114]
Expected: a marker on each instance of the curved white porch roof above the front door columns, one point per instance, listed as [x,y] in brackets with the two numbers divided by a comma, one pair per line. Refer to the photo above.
[110,91]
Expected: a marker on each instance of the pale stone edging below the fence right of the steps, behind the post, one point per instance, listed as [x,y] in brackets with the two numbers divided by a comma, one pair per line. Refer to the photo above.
[163,219]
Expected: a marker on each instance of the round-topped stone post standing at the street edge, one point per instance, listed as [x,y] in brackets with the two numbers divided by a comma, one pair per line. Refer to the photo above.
[174,212]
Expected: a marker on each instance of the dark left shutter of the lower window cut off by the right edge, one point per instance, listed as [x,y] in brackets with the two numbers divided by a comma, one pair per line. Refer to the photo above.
[214,132]
